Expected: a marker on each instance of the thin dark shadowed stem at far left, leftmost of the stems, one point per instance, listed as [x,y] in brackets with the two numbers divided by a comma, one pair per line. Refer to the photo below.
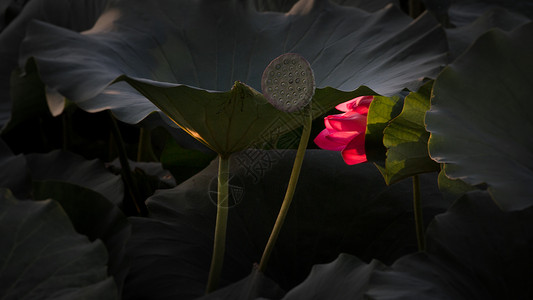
[131,187]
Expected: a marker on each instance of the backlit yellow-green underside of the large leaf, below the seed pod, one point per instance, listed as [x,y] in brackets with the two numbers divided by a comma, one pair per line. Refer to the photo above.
[229,122]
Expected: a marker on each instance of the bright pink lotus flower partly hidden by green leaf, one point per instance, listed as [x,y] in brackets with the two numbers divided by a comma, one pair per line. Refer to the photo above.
[346,132]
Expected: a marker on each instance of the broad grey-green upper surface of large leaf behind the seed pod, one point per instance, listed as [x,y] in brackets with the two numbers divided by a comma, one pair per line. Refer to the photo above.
[212,44]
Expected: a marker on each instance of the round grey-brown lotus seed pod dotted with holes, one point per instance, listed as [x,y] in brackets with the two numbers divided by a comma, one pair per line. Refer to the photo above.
[288,82]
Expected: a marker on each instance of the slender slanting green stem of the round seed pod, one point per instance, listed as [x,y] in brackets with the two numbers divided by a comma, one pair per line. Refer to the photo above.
[290,191]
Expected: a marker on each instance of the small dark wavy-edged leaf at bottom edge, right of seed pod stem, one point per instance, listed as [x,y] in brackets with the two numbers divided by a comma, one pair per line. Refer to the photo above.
[345,278]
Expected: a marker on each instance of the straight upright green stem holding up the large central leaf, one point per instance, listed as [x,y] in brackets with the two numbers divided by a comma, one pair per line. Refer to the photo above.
[219,245]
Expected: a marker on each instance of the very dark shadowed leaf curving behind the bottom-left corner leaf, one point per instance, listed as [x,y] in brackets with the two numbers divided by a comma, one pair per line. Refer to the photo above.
[94,216]
